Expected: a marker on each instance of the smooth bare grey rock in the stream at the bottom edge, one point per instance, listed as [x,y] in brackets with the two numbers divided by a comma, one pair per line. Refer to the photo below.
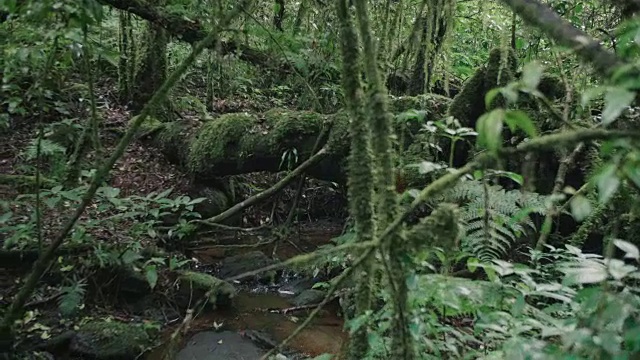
[209,345]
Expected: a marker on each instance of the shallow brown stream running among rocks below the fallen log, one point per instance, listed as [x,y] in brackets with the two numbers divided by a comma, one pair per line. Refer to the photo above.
[254,325]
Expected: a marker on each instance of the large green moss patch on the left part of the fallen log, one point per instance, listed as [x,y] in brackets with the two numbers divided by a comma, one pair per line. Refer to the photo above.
[218,139]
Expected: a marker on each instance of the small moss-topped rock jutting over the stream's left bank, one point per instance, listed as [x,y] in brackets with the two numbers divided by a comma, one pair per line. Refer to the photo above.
[194,285]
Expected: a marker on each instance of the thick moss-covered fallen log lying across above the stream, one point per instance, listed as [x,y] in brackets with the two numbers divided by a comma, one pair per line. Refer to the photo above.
[240,143]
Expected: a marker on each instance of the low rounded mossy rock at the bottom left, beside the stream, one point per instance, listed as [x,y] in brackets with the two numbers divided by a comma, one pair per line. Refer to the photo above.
[109,340]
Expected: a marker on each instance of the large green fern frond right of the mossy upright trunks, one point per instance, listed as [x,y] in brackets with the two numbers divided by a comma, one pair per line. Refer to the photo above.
[489,230]
